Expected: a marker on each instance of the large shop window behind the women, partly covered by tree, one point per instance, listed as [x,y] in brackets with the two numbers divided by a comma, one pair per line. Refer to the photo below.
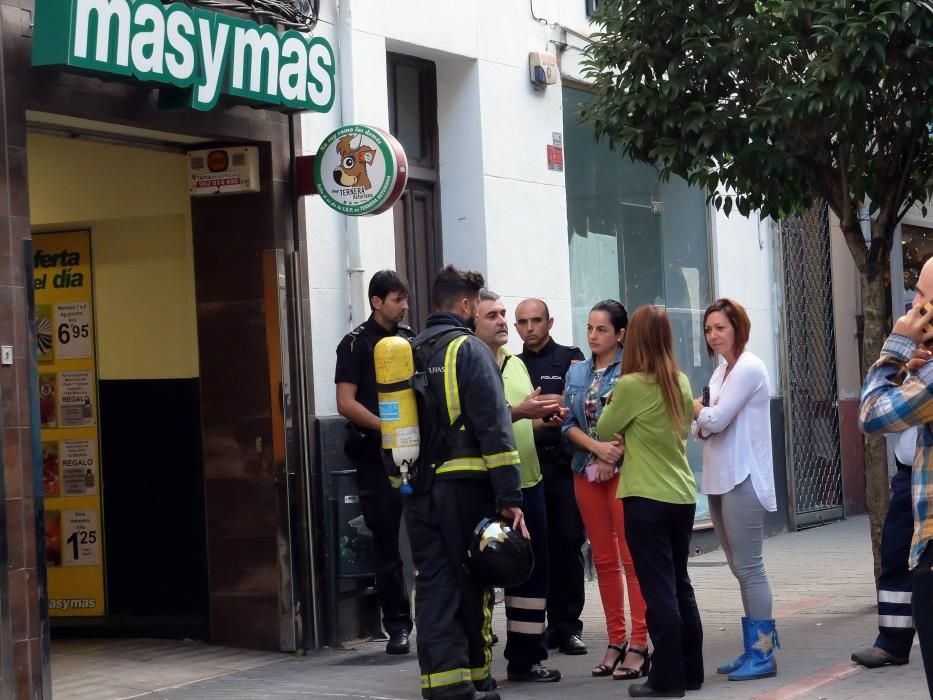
[638,240]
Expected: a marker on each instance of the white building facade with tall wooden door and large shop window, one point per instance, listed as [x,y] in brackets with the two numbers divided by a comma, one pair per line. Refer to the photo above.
[511,184]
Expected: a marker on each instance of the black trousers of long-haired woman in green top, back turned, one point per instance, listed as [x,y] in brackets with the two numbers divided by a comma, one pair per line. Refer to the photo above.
[658,536]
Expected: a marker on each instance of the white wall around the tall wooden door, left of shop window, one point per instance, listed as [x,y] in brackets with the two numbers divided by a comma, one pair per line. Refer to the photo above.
[502,211]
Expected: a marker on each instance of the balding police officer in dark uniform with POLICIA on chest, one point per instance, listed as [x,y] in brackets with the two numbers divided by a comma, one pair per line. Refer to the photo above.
[547,363]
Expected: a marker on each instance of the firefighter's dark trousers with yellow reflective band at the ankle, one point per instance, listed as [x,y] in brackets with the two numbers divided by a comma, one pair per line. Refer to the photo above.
[454,613]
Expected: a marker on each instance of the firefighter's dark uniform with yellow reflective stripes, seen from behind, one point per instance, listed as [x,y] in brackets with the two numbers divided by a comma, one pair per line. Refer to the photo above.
[476,477]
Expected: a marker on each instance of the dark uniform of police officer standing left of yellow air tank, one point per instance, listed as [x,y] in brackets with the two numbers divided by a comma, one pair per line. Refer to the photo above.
[380,503]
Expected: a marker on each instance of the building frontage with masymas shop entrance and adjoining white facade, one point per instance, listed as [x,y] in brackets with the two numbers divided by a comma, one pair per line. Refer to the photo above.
[191,426]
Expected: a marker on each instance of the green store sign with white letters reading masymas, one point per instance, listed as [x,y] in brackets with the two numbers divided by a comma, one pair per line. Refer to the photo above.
[184,47]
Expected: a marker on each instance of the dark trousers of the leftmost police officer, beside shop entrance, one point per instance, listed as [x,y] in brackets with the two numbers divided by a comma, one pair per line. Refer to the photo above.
[382,513]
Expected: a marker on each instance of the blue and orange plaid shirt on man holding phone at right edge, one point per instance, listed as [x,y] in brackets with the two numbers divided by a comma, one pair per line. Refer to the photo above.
[889,407]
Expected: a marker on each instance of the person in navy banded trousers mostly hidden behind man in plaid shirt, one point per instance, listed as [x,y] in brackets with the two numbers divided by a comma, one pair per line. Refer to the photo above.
[895,584]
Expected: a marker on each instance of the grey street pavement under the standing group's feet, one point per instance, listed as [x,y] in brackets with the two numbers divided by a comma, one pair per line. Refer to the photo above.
[824,605]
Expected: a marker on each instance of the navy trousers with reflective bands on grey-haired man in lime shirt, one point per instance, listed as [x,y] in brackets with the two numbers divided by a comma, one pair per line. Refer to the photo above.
[525,605]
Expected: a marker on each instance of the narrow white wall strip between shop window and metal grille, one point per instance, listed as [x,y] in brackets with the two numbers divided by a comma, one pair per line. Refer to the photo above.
[742,261]
